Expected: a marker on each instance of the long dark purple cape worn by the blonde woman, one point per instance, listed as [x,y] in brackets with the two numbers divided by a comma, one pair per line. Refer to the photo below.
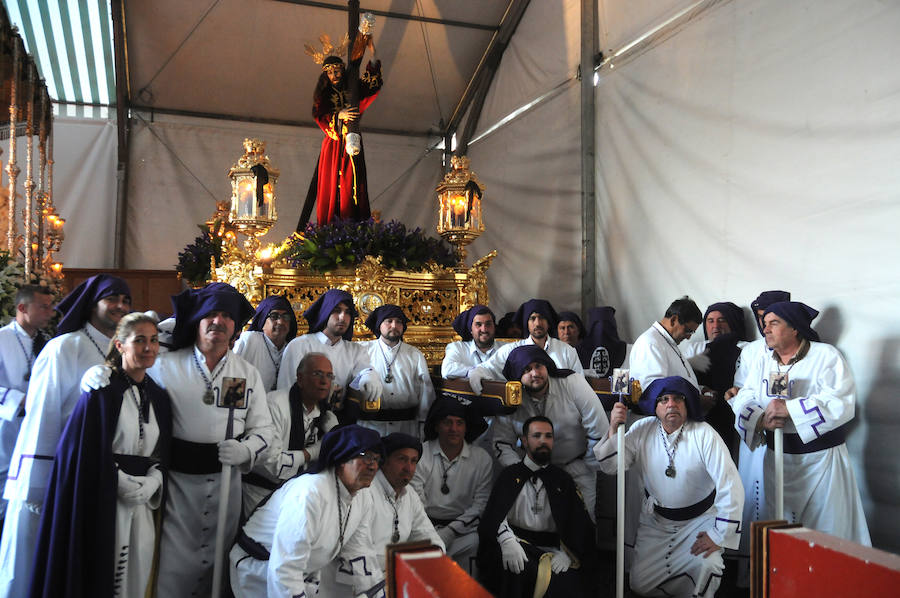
[75,555]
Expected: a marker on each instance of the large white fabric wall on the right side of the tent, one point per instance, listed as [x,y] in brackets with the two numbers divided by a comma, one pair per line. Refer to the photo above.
[755,149]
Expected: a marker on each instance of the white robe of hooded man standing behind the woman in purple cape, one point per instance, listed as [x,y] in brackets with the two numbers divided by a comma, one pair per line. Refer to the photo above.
[52,393]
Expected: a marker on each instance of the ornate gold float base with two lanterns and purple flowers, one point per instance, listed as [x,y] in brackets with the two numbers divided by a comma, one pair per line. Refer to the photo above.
[378,263]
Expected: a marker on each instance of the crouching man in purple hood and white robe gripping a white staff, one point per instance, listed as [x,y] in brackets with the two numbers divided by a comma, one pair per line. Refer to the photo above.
[693,492]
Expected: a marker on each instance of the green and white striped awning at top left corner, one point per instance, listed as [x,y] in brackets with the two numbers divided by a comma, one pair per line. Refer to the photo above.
[71,41]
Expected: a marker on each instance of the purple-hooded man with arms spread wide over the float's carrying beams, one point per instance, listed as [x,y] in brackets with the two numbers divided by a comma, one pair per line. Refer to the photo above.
[539,318]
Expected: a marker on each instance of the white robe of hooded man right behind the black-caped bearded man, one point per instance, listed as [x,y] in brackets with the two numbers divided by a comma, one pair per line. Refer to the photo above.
[579,422]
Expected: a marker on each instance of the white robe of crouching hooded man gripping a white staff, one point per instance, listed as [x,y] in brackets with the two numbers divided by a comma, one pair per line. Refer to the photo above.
[664,565]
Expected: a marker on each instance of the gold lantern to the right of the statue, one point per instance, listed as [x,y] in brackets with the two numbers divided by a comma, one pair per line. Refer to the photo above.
[459,199]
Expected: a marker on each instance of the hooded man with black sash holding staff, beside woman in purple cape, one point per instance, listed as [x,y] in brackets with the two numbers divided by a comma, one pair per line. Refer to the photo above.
[198,373]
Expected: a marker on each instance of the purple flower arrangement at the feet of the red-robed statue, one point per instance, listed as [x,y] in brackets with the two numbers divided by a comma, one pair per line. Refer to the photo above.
[344,244]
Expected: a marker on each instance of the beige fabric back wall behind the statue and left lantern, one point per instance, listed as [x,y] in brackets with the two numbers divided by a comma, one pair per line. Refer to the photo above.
[179,169]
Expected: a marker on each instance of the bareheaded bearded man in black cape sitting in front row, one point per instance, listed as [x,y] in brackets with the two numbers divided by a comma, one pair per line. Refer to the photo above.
[536,538]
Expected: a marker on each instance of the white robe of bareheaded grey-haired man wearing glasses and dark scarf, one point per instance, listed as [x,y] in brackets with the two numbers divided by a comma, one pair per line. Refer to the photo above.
[280,463]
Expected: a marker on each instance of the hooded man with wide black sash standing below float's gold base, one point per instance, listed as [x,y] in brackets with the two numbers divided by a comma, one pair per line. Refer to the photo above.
[407,391]
